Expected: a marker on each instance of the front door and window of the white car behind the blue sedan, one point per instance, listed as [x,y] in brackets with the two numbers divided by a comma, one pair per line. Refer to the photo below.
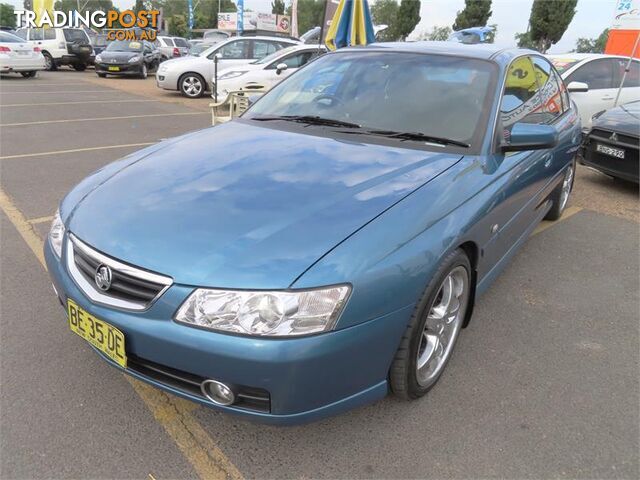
[598,74]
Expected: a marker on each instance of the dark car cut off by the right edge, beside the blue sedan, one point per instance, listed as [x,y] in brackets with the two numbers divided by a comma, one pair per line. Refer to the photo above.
[612,144]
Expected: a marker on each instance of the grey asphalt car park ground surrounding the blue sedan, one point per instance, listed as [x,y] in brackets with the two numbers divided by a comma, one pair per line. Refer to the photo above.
[543,383]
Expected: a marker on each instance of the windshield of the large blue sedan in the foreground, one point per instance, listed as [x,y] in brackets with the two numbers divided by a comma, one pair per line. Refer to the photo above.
[435,95]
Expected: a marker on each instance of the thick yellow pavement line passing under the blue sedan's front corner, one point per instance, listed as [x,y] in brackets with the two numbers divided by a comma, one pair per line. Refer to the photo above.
[174,414]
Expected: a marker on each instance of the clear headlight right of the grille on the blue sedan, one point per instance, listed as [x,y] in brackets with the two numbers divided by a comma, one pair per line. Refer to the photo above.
[265,313]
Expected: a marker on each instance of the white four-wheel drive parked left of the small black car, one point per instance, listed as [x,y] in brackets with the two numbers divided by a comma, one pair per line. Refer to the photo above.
[61,46]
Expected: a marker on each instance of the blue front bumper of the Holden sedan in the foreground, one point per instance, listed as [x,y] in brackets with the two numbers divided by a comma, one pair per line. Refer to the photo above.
[306,378]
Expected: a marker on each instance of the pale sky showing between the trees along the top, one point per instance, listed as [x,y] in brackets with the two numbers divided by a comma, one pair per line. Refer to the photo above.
[512,16]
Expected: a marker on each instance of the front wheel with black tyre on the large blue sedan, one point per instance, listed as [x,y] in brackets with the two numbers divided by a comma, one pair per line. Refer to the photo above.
[431,335]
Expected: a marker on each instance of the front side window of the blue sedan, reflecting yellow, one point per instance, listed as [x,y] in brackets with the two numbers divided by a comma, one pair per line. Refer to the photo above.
[521,99]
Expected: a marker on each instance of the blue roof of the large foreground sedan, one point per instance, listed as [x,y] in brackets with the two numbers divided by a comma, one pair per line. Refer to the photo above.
[484,51]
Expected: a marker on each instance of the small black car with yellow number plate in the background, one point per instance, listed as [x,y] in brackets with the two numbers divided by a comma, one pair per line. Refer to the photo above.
[127,58]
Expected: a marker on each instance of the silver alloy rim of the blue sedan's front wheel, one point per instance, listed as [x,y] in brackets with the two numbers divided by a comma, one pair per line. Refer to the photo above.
[442,326]
